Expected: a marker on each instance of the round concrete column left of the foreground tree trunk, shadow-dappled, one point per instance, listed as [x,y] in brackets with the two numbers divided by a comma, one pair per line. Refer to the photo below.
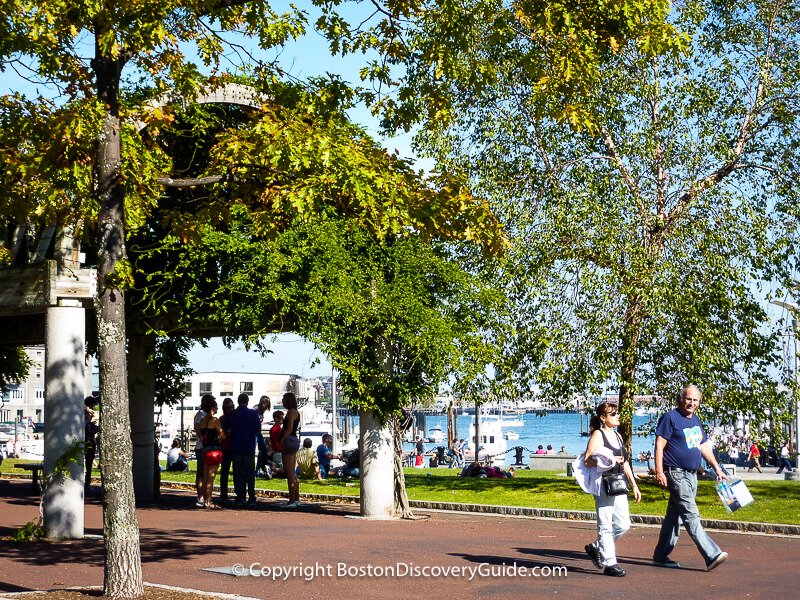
[65,332]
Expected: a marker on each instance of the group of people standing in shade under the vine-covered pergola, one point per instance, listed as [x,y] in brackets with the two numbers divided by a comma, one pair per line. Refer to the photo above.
[231,441]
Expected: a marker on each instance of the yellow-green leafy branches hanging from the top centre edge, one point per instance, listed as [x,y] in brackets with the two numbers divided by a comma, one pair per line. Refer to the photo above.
[431,58]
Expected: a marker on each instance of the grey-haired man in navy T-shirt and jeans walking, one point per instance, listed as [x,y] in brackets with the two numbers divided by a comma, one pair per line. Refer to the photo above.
[681,442]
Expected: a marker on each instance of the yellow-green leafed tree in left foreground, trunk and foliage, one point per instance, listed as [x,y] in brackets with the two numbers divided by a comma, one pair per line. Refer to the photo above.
[77,156]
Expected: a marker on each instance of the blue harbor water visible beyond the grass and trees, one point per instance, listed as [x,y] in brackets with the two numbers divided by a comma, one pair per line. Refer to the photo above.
[554,429]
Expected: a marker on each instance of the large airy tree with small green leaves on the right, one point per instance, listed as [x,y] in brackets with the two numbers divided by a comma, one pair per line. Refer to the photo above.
[645,241]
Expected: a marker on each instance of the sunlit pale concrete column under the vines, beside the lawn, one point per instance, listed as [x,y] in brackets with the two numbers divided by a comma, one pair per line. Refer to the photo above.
[377,467]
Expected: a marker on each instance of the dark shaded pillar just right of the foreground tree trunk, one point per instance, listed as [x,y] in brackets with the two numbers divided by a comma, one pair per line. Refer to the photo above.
[141,391]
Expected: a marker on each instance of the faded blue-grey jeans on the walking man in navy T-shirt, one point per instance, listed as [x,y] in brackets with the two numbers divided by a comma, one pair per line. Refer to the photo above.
[682,486]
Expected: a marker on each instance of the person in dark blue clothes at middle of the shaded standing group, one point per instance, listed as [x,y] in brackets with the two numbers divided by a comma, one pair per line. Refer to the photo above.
[245,425]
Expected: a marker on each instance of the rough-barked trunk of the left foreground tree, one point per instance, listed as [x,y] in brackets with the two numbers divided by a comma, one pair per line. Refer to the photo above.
[123,564]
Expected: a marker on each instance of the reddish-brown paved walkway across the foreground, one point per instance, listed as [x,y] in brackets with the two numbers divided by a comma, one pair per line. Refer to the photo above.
[332,551]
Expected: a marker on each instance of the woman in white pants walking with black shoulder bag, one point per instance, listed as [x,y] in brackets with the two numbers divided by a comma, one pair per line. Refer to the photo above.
[605,458]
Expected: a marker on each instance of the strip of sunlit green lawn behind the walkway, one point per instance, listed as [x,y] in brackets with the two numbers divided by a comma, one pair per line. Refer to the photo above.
[775,501]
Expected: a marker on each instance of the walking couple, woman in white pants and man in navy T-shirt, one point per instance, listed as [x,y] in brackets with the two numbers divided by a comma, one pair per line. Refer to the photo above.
[681,444]
